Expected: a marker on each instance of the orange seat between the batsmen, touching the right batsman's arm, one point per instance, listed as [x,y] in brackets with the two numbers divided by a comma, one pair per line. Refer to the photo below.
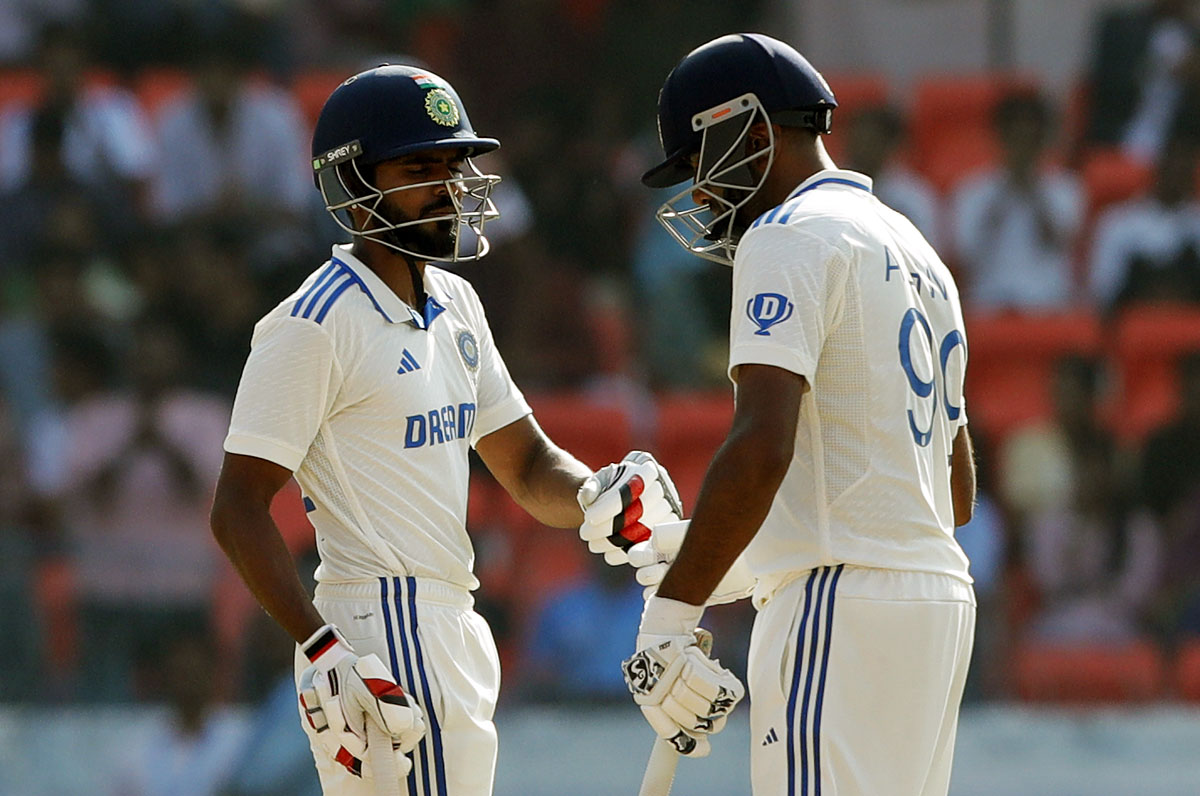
[692,428]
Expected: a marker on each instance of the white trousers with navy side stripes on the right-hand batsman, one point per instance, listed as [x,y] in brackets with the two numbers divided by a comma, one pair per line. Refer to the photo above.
[856,678]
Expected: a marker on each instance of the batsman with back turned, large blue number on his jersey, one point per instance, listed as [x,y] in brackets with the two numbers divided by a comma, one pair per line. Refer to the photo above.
[835,499]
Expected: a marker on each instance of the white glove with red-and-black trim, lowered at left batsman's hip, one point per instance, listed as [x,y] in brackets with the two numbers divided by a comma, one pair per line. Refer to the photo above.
[341,692]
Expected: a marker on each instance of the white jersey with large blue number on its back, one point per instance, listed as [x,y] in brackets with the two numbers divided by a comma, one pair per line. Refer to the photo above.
[844,291]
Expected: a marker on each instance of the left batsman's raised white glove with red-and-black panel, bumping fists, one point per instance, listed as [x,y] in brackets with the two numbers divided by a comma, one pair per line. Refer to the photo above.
[623,502]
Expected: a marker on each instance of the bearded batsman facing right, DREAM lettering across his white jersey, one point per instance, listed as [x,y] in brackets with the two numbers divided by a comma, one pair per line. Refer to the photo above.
[369,385]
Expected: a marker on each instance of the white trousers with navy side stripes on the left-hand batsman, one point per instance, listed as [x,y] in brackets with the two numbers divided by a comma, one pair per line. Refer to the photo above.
[442,654]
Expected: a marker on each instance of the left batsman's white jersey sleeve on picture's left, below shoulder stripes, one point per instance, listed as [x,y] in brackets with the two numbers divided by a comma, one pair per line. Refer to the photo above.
[287,391]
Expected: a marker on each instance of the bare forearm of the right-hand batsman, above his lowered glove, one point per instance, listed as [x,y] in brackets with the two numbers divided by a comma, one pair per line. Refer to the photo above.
[734,502]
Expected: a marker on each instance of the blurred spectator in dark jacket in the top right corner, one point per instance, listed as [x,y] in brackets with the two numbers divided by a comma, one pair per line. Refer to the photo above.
[1145,79]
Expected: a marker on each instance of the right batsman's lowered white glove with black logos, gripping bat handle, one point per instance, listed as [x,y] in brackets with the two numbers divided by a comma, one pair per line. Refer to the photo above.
[685,696]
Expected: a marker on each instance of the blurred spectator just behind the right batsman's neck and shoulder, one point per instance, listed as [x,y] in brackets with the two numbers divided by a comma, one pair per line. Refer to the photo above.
[875,137]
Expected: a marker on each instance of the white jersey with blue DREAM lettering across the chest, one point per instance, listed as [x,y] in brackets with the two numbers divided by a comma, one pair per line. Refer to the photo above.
[374,406]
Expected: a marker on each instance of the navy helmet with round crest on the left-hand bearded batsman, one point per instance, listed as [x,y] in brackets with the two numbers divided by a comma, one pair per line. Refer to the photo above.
[389,112]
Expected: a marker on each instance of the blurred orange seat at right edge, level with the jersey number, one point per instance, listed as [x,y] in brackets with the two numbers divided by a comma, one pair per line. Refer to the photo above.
[1150,342]
